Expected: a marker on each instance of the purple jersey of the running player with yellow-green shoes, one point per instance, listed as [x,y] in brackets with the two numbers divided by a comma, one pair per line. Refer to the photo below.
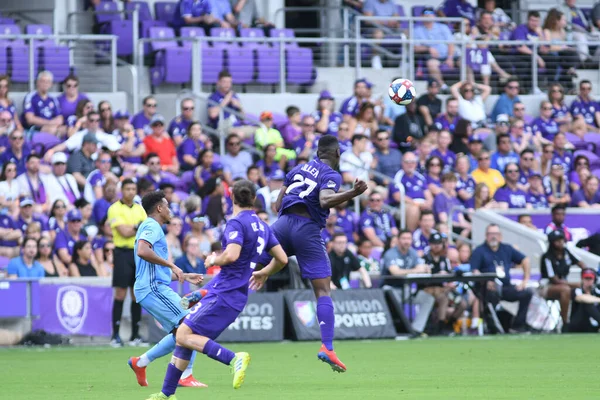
[255,237]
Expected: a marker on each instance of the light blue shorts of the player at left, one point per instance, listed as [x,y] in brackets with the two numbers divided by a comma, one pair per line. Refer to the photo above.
[163,304]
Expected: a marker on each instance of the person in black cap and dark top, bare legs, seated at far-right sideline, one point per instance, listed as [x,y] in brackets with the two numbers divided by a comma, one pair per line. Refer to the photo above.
[554,266]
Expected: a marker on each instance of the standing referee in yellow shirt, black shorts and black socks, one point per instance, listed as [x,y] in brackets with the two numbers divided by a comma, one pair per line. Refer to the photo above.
[124,217]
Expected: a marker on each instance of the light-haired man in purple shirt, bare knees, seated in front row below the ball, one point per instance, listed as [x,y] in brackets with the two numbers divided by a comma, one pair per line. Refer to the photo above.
[417,196]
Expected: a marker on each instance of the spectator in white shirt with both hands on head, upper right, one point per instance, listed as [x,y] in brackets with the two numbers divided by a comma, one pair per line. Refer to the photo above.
[470,106]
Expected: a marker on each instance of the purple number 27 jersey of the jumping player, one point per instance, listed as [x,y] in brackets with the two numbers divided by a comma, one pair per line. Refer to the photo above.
[304,184]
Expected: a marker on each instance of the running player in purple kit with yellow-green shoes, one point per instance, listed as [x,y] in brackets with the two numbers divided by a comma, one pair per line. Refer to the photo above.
[245,238]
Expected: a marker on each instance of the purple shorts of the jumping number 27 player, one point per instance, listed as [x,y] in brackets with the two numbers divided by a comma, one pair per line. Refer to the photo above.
[301,237]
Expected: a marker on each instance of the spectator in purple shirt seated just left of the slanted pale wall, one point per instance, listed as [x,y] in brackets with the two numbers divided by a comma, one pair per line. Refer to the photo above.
[447,206]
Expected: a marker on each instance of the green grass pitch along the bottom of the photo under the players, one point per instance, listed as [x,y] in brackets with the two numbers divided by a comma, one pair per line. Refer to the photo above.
[510,367]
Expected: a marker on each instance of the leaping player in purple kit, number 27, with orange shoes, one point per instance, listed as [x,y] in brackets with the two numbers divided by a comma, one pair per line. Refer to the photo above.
[309,191]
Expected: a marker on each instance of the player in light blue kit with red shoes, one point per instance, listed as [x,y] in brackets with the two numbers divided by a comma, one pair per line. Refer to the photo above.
[153,273]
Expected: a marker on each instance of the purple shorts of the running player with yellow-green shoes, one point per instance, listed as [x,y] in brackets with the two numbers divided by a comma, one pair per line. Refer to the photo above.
[210,317]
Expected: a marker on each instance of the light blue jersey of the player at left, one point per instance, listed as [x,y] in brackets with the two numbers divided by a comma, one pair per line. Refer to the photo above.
[148,277]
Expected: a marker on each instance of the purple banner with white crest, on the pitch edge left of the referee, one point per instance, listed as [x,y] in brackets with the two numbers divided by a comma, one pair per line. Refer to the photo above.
[75,310]
